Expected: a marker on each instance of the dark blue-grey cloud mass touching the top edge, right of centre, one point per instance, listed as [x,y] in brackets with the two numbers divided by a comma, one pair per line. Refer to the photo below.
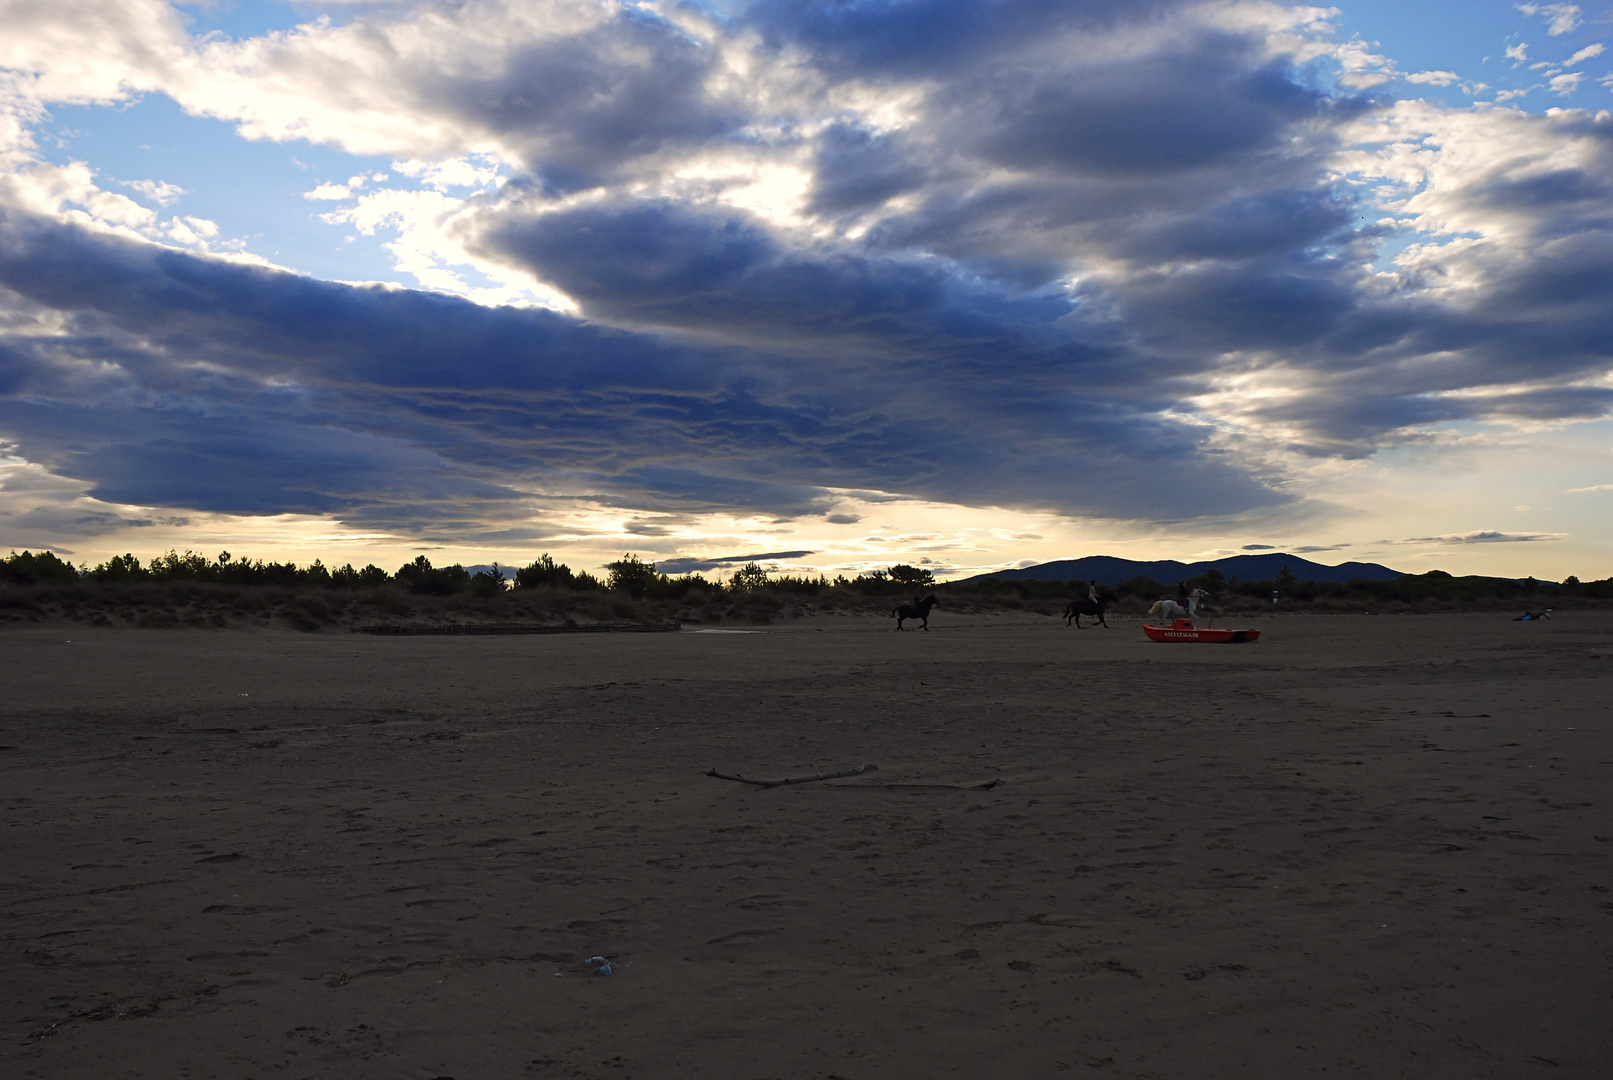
[1040,147]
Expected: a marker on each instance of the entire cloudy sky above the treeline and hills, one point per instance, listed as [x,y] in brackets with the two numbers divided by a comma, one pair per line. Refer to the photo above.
[828,286]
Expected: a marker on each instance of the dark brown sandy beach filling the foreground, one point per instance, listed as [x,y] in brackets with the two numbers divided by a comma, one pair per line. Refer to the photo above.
[1369,847]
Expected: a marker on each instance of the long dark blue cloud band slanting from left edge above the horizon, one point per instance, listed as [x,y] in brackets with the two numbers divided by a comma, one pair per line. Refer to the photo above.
[273,391]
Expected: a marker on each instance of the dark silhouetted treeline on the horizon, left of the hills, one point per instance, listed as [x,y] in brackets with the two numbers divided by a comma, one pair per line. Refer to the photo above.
[630,575]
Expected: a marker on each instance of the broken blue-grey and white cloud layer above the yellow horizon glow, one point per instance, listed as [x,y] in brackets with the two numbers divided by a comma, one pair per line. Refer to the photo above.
[1112,260]
